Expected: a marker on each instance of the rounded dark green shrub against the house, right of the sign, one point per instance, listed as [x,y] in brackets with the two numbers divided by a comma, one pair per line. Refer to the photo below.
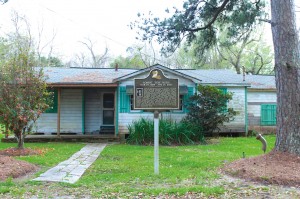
[208,108]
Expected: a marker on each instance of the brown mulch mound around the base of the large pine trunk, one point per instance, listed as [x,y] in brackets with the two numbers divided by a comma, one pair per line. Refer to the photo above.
[272,168]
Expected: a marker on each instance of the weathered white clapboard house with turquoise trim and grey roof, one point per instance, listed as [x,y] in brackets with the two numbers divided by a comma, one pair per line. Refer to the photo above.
[100,100]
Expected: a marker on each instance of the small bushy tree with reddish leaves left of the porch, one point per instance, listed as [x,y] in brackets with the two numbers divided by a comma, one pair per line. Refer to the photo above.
[23,93]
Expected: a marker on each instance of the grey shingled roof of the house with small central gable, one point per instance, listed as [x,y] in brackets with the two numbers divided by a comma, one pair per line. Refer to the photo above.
[109,76]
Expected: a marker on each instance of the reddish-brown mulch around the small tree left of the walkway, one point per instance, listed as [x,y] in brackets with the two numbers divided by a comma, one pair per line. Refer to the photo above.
[10,167]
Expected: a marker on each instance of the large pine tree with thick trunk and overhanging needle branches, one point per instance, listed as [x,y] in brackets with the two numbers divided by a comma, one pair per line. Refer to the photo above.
[201,17]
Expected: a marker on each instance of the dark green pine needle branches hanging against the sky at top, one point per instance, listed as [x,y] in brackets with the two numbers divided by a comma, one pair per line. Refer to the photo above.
[203,18]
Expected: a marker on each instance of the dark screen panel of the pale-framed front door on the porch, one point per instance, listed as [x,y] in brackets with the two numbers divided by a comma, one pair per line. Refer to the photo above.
[108,109]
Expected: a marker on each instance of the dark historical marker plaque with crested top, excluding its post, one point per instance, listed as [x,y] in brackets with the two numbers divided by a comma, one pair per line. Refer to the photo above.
[156,92]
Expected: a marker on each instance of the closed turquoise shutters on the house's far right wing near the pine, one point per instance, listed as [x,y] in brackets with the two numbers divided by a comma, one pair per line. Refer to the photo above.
[268,115]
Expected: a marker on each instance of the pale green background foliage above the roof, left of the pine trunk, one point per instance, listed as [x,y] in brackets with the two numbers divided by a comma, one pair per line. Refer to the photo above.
[250,53]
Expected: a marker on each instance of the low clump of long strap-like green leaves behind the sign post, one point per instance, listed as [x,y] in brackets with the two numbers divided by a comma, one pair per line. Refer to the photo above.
[141,132]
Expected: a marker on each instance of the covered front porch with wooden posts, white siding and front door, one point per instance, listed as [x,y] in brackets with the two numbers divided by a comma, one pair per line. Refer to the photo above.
[80,111]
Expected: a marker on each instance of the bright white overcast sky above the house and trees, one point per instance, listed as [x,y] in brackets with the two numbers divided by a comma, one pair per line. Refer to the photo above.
[104,22]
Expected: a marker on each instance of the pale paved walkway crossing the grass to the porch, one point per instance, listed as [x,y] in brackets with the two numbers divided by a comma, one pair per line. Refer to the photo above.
[72,169]
